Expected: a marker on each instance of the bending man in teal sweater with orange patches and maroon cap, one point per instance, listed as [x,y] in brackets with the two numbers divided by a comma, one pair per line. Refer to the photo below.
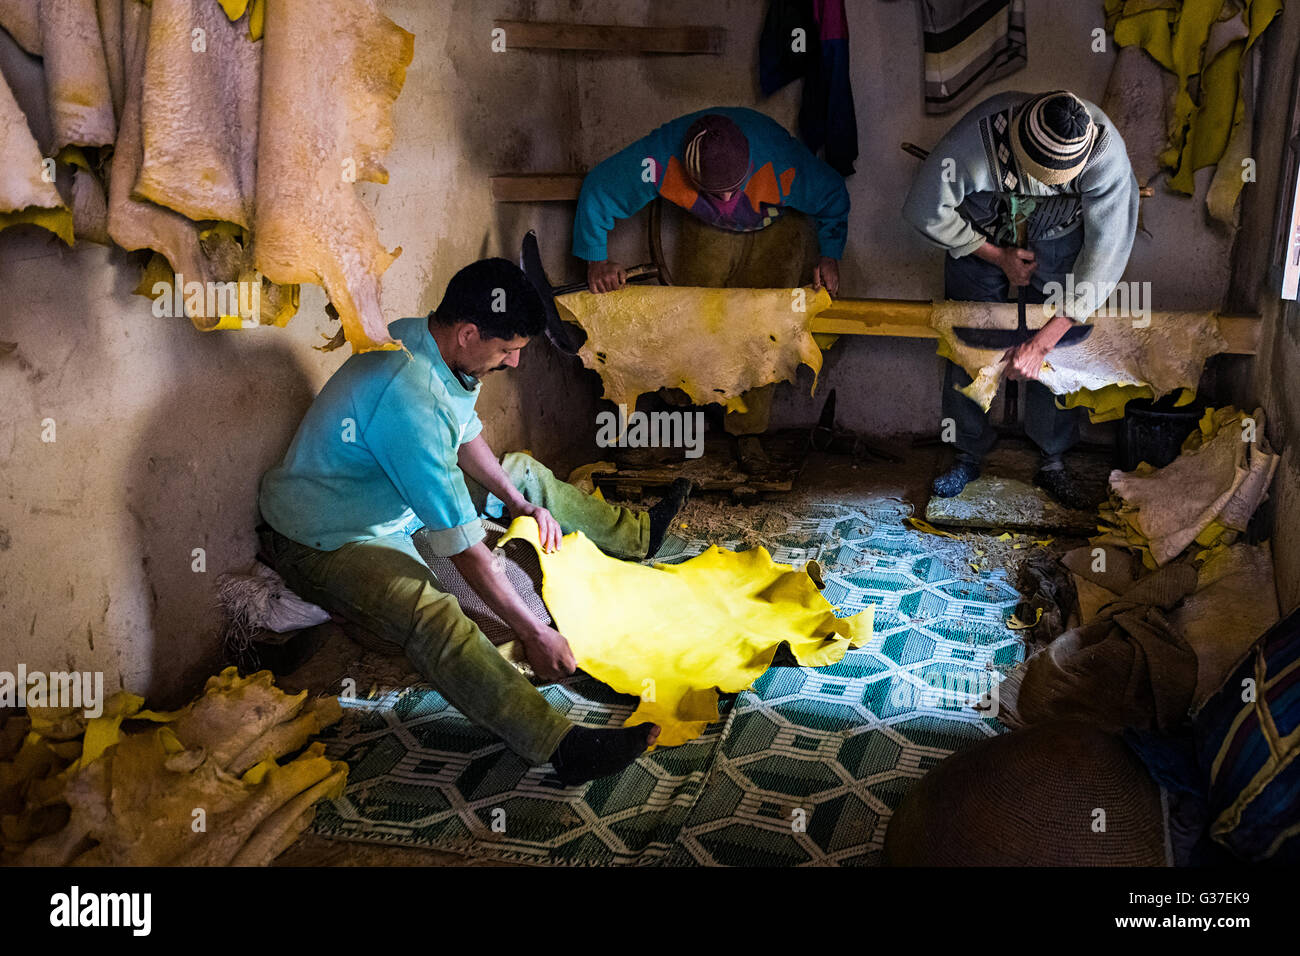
[746,183]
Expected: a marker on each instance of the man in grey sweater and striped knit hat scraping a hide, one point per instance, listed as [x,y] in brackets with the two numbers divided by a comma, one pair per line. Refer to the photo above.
[1028,191]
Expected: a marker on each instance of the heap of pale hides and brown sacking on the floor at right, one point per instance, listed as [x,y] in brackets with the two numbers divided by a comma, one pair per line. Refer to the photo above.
[1169,596]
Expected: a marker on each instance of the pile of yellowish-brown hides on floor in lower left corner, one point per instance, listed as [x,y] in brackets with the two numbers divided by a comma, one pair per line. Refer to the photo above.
[203,786]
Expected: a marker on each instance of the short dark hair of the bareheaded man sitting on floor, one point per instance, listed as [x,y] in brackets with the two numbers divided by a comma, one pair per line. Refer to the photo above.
[496,296]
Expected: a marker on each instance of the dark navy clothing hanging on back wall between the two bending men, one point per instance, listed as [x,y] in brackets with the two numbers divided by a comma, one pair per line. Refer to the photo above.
[827,118]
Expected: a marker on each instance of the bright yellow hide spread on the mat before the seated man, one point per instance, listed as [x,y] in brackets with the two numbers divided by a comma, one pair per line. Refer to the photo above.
[677,635]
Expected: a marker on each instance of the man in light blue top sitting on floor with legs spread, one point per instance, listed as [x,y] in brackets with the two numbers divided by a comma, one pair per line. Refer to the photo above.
[391,447]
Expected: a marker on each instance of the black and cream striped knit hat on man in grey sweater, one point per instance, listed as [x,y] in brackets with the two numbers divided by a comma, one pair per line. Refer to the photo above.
[1054,136]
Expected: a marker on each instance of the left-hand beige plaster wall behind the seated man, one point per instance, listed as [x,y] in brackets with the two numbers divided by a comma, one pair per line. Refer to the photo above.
[162,432]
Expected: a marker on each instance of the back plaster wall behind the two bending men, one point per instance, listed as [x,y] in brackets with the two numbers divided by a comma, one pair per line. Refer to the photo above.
[886,387]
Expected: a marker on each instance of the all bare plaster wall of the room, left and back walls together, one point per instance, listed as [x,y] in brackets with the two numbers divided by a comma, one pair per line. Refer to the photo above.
[163,432]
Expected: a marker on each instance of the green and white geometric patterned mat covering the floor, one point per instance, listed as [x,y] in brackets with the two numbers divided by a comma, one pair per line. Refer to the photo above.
[803,769]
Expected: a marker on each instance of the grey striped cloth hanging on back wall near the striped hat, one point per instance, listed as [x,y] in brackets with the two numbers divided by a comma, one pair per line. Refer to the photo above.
[969,45]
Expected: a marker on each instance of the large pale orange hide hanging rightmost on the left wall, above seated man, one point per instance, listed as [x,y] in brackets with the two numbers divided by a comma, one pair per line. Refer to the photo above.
[327,122]
